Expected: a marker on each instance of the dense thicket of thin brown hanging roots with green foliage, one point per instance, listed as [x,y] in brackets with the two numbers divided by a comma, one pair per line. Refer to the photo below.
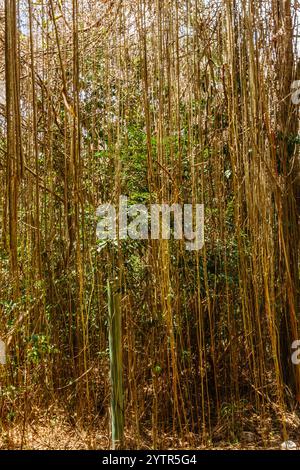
[175,101]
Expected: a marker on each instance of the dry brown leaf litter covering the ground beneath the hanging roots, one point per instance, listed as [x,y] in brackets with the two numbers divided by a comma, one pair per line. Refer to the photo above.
[59,434]
